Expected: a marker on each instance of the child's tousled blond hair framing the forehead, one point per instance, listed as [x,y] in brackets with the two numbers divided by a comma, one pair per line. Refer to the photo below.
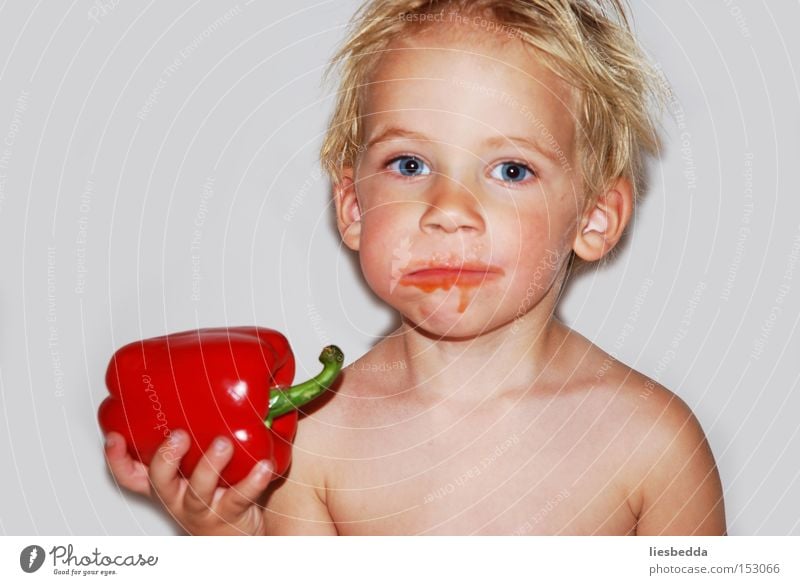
[587,43]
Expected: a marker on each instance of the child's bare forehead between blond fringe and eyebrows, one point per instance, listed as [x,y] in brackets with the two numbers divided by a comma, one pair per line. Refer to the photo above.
[494,82]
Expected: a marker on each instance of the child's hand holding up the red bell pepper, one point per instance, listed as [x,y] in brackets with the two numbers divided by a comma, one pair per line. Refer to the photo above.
[197,504]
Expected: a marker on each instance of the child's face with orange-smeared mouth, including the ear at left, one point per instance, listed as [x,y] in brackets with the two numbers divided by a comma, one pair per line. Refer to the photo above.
[445,182]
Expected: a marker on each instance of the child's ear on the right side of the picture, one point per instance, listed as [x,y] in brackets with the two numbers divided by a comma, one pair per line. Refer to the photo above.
[603,224]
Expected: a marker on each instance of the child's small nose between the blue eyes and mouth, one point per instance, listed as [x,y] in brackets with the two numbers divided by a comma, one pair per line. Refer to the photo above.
[451,206]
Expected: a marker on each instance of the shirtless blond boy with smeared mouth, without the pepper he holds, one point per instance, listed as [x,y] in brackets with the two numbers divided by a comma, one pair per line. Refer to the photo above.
[476,150]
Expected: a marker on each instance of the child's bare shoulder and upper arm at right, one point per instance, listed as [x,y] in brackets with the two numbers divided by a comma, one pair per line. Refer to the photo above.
[669,469]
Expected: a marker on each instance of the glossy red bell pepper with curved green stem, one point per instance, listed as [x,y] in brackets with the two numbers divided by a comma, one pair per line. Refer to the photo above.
[231,381]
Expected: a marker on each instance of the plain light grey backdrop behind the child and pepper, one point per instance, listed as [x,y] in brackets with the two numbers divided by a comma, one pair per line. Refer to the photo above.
[158,173]
